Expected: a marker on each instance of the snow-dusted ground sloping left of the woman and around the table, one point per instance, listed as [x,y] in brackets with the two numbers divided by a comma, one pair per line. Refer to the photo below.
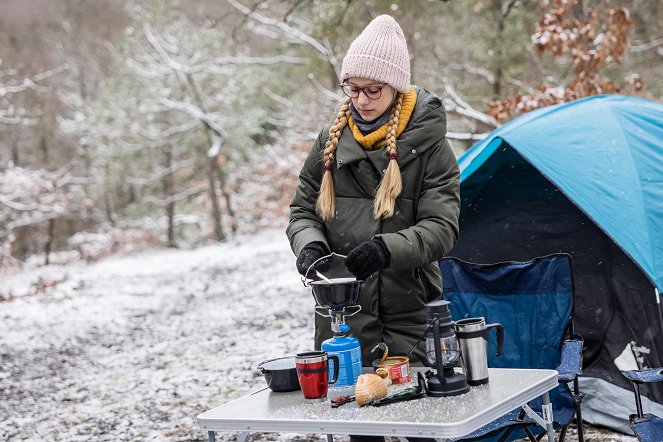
[135,347]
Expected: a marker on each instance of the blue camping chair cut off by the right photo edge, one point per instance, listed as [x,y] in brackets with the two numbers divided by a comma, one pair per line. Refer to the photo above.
[647,427]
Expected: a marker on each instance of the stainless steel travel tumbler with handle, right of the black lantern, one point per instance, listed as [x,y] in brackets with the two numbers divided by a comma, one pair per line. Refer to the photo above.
[472,334]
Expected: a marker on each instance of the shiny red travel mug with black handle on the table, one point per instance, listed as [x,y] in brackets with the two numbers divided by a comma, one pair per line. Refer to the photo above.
[313,374]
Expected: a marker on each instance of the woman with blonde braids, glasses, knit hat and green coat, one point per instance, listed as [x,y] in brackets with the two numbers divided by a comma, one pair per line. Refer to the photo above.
[380,185]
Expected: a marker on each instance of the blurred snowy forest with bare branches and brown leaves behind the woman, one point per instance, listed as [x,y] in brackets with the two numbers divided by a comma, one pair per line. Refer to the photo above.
[134,124]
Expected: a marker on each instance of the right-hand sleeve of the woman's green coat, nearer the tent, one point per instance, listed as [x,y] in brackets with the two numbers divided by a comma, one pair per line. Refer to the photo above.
[436,228]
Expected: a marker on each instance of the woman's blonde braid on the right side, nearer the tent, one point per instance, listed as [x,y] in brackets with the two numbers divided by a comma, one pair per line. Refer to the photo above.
[391,185]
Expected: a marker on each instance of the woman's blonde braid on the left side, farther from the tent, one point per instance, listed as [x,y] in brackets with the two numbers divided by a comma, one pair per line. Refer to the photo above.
[325,207]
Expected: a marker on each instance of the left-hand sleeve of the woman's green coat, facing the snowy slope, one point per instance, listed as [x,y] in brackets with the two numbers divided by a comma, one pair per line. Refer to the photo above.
[305,226]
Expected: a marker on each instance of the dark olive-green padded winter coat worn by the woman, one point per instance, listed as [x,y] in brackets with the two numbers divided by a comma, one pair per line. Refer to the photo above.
[423,229]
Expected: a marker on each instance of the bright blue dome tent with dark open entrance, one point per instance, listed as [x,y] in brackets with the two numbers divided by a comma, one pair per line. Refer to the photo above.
[585,178]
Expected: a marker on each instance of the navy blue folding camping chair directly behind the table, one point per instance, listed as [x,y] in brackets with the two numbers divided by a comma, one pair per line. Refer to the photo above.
[534,302]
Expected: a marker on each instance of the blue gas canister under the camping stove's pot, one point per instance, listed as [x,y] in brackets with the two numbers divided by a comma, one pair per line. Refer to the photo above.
[348,350]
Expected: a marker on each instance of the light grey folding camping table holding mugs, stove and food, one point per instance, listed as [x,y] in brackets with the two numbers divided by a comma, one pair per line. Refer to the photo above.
[437,418]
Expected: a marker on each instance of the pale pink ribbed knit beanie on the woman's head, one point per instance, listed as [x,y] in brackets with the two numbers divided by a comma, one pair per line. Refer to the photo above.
[379,53]
